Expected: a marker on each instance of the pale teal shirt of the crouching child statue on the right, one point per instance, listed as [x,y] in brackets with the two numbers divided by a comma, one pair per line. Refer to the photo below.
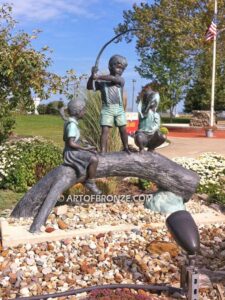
[150,123]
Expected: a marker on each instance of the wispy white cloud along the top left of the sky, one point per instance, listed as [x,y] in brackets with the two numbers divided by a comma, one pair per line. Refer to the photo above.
[43,10]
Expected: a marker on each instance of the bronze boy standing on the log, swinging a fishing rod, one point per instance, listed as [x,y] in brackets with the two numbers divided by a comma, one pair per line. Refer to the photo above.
[111,88]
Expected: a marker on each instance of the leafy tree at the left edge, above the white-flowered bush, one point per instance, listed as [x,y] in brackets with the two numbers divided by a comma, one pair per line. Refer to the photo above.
[23,72]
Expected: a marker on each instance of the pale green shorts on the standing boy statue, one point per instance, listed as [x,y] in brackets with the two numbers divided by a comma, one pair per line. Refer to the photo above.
[113,114]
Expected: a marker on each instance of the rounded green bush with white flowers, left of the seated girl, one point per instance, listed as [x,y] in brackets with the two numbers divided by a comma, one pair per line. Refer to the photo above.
[24,162]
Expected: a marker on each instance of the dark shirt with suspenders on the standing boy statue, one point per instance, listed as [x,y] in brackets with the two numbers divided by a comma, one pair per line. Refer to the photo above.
[111,93]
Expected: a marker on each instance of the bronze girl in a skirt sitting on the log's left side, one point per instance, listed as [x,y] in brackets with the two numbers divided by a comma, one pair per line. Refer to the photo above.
[82,159]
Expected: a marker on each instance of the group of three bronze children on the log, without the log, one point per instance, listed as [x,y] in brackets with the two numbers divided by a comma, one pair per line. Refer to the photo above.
[84,160]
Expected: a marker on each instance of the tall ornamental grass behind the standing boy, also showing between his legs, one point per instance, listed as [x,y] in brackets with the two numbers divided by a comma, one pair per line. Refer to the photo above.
[90,125]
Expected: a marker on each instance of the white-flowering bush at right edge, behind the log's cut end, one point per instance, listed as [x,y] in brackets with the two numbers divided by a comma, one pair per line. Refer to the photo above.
[211,169]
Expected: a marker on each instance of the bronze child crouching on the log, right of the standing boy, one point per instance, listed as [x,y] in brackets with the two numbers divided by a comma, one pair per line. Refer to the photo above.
[148,134]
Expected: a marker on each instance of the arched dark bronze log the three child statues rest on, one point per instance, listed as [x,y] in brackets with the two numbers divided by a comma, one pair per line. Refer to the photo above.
[168,175]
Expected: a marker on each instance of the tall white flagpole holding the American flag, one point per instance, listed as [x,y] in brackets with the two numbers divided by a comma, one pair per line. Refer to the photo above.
[213,74]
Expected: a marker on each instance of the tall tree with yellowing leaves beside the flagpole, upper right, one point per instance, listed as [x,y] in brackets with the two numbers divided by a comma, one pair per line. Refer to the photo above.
[170,43]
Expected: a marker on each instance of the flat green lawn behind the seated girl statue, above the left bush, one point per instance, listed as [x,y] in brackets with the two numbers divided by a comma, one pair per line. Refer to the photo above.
[47,126]
